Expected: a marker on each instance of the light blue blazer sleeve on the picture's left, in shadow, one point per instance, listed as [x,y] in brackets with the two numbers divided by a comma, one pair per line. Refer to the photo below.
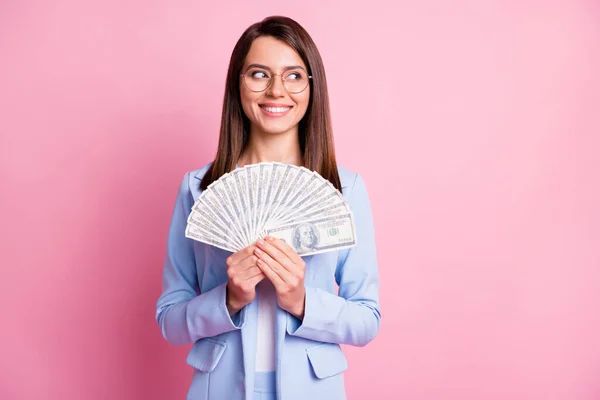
[182,312]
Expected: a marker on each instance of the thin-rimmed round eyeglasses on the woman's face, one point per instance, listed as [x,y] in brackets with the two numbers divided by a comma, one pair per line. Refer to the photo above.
[258,79]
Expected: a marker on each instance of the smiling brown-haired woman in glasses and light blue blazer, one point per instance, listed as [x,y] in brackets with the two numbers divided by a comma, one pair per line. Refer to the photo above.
[265,322]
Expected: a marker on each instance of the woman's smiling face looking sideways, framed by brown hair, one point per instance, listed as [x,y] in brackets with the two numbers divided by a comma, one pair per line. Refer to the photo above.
[274,110]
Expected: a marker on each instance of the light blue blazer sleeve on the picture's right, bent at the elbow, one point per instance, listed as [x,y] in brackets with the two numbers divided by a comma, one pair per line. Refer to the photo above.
[353,315]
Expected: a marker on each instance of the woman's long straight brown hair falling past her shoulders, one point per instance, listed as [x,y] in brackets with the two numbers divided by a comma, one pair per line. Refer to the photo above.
[314,130]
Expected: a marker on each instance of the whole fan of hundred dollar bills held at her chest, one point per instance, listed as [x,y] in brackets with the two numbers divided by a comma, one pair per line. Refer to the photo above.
[285,201]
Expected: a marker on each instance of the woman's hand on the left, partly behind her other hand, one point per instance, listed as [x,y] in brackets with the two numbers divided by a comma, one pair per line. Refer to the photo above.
[243,275]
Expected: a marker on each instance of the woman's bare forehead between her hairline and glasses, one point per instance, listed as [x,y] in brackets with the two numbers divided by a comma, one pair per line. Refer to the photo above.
[273,53]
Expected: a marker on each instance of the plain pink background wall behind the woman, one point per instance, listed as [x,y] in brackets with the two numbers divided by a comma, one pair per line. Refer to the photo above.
[475,124]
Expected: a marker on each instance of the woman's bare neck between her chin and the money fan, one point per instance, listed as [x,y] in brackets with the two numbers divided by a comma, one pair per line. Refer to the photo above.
[262,147]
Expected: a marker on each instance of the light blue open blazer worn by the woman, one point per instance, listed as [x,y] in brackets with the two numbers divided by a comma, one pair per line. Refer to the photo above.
[310,361]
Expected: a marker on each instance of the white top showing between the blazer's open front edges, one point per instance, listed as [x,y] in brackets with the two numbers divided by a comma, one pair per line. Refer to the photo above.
[265,335]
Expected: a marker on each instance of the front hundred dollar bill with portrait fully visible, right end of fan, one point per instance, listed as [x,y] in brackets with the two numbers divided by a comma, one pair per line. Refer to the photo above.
[317,235]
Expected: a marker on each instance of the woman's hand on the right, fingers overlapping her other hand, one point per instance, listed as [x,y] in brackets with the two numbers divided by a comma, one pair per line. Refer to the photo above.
[285,269]
